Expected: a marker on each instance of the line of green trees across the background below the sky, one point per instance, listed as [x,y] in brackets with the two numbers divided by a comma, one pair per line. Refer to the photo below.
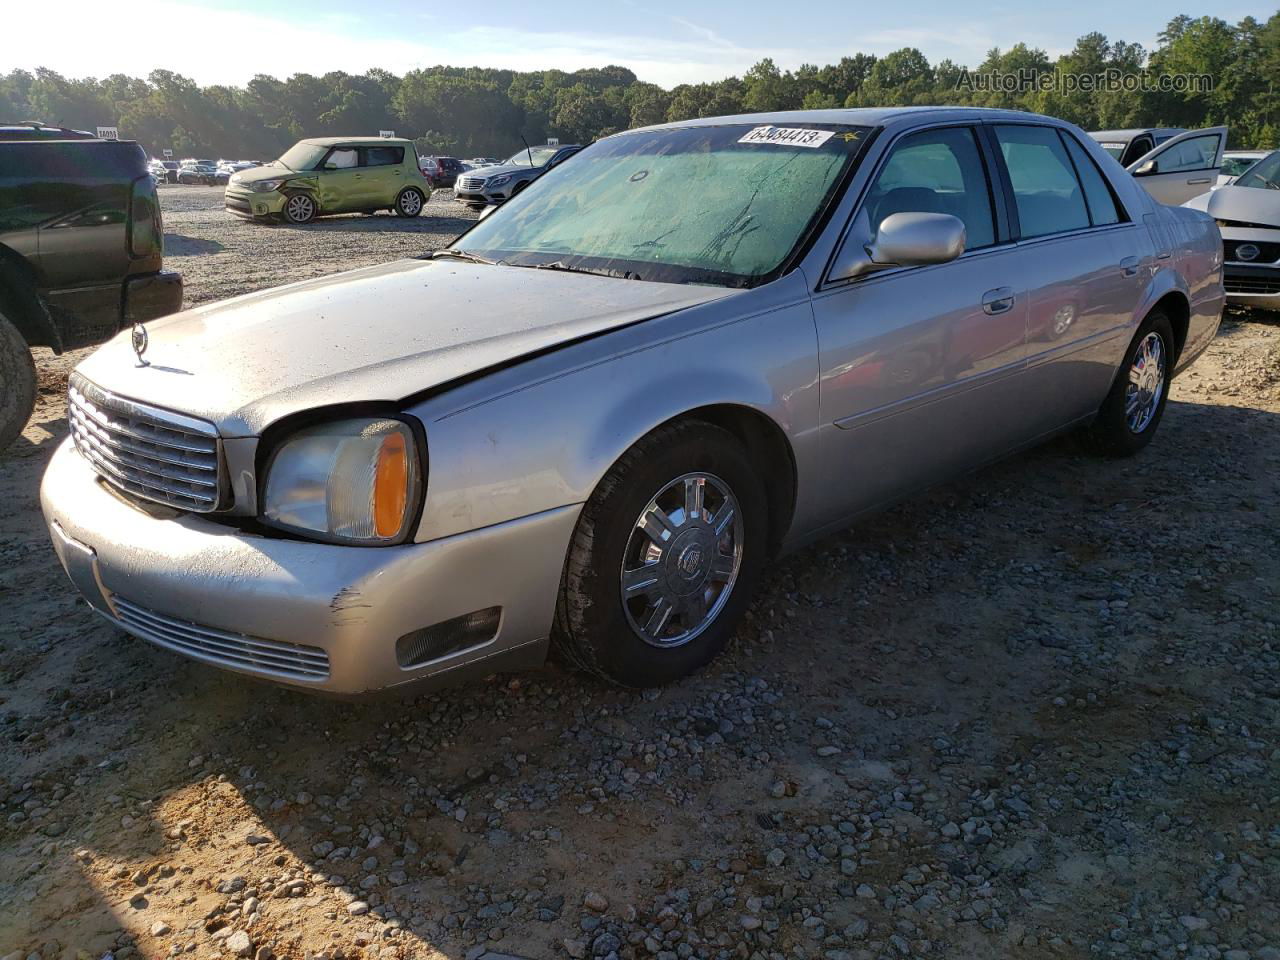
[474,112]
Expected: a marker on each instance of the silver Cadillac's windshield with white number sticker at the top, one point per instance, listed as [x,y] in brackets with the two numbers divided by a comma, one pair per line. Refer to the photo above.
[723,205]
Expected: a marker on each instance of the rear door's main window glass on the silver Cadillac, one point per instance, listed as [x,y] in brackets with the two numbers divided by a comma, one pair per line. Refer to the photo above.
[1046,193]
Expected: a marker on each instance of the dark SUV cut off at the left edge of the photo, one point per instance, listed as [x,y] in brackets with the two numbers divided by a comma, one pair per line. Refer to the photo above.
[81,255]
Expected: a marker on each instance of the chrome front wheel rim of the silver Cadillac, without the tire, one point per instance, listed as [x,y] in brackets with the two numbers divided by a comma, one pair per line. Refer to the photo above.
[683,560]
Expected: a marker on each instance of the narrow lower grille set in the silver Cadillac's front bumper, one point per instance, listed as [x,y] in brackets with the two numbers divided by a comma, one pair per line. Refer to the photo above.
[236,651]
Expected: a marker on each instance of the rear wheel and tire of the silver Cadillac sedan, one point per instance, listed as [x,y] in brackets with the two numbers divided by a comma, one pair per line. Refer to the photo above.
[1131,414]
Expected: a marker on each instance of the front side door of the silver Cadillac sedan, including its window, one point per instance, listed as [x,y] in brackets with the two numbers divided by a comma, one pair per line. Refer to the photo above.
[921,367]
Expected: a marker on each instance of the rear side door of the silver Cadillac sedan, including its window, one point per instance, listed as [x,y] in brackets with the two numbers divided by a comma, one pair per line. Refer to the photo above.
[1085,266]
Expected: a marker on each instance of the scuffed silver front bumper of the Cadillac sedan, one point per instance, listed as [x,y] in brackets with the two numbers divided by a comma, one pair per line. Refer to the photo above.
[316,616]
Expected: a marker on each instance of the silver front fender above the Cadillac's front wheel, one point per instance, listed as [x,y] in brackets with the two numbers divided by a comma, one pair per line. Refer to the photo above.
[548,441]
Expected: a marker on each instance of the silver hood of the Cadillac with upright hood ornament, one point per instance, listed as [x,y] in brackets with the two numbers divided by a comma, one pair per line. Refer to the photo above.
[377,335]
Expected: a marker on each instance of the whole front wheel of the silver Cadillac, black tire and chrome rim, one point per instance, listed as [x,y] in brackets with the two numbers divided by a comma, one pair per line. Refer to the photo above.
[665,559]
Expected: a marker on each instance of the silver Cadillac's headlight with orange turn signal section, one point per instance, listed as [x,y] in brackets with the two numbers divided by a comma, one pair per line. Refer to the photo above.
[351,481]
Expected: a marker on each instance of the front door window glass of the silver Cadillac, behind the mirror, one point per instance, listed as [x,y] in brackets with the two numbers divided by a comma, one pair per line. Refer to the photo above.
[936,172]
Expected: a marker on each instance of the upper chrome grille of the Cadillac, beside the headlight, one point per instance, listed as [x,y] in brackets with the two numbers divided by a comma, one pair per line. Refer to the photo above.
[145,451]
